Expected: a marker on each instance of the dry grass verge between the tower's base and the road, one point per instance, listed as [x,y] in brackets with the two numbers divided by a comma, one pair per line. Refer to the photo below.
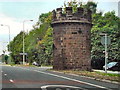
[96,75]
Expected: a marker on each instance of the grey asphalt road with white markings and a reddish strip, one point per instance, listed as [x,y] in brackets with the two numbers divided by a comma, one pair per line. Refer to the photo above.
[34,78]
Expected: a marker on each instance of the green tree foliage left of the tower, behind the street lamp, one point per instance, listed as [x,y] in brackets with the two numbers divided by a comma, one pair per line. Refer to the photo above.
[42,32]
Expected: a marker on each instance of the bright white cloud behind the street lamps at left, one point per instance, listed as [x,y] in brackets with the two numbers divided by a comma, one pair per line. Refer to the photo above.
[15,26]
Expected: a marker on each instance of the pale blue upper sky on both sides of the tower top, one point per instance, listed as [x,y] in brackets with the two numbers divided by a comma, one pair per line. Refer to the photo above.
[32,10]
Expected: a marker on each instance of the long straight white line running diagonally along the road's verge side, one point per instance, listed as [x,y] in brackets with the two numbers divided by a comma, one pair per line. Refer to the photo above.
[98,86]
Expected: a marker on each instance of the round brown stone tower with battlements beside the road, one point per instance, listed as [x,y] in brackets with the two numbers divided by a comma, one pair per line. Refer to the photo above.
[71,34]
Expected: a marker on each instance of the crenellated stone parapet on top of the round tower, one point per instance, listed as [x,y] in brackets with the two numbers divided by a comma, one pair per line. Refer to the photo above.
[81,15]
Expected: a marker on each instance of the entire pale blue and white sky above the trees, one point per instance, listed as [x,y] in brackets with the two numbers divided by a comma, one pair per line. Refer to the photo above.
[14,12]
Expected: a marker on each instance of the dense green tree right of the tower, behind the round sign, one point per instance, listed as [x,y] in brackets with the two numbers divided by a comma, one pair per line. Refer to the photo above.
[105,23]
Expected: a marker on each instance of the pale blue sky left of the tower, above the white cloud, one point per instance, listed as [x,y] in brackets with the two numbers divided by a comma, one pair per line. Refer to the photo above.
[26,10]
